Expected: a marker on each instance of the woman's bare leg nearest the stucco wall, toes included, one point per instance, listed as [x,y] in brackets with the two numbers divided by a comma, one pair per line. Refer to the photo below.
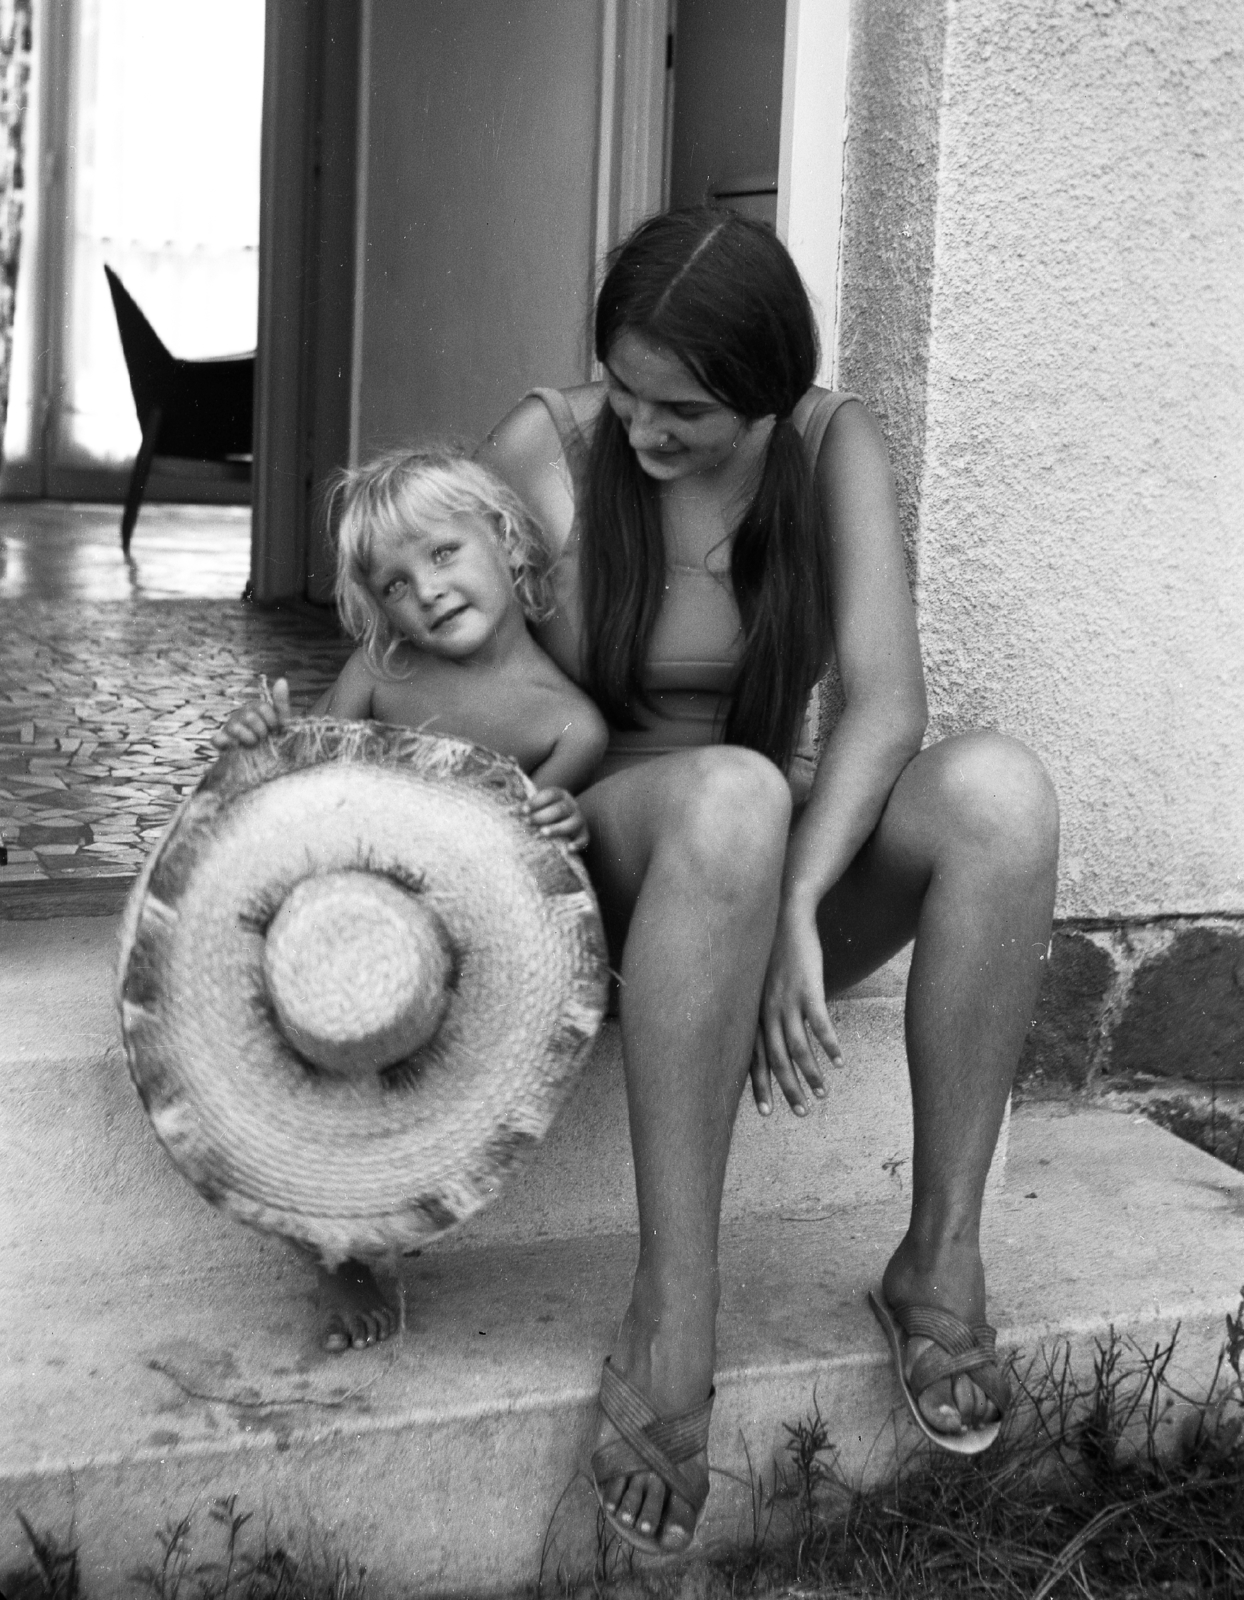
[965,858]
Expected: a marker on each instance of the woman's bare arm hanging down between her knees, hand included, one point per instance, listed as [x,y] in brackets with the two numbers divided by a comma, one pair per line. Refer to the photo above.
[879,734]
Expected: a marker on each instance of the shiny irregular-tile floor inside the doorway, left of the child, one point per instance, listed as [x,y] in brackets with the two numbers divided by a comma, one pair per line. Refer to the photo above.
[114,674]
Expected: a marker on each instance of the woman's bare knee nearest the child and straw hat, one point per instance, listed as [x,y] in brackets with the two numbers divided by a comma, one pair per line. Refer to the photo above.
[730,817]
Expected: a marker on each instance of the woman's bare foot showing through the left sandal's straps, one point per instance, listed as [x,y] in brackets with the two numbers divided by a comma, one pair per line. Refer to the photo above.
[674,1372]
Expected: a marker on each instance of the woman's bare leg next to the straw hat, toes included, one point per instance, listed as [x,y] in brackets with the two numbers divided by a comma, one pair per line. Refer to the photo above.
[687,857]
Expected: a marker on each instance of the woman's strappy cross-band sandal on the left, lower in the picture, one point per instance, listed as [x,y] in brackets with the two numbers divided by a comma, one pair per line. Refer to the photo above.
[648,1444]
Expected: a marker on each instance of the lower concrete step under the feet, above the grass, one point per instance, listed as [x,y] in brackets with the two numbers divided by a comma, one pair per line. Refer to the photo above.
[441,1460]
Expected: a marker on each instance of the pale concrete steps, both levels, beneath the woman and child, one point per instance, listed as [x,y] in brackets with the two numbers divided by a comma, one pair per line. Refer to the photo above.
[159,1356]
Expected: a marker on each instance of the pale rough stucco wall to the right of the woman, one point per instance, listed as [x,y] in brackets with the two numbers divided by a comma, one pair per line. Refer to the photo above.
[1082,468]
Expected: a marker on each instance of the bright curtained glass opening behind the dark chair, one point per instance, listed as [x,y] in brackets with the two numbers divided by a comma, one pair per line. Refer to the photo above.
[145,129]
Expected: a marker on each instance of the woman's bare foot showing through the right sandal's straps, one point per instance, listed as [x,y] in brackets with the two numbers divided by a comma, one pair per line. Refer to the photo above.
[951,1279]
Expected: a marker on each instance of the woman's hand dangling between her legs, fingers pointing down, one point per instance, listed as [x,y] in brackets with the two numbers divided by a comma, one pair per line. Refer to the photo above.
[794,1007]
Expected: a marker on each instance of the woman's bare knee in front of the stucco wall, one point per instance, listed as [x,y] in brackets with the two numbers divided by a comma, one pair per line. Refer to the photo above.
[999,798]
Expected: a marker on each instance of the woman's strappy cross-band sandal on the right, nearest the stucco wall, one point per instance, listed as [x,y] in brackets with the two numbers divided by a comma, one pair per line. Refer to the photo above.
[959,1350]
